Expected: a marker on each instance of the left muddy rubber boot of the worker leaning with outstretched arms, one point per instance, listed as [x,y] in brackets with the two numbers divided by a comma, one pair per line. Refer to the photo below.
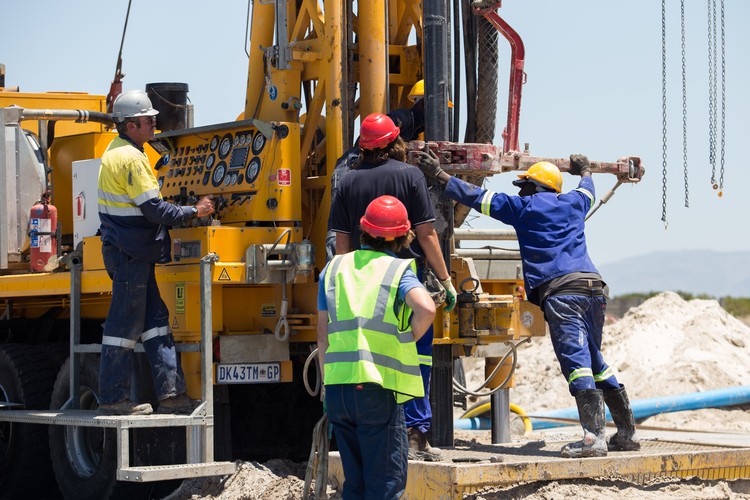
[591,414]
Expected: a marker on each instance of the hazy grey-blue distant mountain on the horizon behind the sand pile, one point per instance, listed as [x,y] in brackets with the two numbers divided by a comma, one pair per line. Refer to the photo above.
[718,274]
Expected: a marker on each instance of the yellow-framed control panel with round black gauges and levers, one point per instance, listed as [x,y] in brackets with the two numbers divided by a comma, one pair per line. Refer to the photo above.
[253,176]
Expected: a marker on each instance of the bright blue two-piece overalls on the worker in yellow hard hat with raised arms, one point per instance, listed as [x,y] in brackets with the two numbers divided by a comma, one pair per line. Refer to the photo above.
[550,229]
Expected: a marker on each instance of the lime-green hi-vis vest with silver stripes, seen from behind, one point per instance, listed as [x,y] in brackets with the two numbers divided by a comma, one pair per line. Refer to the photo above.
[367,341]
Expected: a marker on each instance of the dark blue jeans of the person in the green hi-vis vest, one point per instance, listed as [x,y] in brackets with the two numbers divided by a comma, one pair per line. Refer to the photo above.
[371,436]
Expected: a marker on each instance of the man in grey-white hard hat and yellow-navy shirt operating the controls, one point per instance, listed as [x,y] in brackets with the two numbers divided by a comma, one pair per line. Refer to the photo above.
[134,220]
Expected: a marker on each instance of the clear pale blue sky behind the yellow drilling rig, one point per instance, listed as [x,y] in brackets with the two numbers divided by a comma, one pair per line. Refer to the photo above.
[593,86]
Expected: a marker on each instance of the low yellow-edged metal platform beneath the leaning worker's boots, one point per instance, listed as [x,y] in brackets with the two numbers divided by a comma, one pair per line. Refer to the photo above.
[467,469]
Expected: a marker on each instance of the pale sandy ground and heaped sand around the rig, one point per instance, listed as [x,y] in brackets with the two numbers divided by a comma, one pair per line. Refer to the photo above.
[666,346]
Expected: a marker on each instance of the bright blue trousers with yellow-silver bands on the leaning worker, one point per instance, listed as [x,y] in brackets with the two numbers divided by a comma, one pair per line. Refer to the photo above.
[575,325]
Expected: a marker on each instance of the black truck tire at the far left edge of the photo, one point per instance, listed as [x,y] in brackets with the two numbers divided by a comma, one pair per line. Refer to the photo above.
[25,468]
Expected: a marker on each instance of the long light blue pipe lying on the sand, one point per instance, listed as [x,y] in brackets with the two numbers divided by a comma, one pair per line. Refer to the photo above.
[642,409]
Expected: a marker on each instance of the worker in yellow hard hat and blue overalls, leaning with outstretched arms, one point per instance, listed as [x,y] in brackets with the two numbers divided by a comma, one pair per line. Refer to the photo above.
[562,280]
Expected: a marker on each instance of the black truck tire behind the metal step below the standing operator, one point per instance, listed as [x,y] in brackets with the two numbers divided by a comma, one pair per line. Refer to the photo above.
[84,458]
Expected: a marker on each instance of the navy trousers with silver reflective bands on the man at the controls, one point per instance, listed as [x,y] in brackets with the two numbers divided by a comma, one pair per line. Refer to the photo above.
[137,312]
